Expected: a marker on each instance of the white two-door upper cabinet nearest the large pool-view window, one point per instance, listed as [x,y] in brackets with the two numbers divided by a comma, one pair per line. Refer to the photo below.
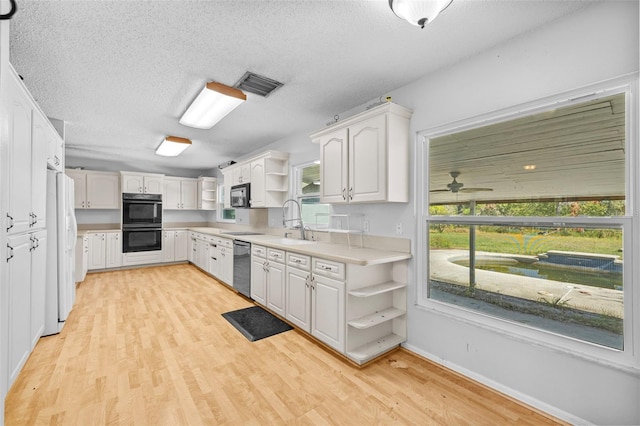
[365,158]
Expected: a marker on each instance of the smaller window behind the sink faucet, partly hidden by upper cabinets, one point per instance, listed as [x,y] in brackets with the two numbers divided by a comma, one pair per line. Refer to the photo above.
[307,190]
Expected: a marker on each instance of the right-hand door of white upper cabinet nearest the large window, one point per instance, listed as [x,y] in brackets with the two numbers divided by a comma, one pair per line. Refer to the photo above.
[368,160]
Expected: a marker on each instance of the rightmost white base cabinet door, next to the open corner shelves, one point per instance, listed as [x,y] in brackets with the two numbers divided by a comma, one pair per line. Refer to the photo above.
[327,310]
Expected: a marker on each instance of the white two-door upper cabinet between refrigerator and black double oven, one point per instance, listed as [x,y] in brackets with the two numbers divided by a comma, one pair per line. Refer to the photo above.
[95,190]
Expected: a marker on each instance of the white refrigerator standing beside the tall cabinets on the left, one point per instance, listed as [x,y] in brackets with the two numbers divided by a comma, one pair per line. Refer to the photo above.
[62,231]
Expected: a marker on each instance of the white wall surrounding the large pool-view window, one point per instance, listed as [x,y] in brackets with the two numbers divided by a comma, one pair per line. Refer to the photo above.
[595,44]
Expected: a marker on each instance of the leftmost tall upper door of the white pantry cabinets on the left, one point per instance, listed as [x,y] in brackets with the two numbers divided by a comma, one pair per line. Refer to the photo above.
[18,119]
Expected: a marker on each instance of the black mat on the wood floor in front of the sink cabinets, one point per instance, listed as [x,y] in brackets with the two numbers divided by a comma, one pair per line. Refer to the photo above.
[255,323]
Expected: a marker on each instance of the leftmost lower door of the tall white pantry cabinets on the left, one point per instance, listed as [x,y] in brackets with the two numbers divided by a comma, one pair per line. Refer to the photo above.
[19,284]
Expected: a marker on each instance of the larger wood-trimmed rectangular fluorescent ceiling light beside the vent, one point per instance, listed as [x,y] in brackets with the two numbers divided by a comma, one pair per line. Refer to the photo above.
[212,105]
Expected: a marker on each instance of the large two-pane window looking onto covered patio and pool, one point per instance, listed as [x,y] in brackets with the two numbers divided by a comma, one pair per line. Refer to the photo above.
[528,220]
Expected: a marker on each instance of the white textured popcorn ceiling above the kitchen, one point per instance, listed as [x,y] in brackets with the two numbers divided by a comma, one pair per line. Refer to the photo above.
[121,73]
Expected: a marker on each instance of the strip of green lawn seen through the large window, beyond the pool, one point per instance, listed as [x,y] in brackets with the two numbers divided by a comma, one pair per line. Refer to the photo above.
[530,244]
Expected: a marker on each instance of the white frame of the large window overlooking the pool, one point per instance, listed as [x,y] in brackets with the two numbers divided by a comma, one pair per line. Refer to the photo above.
[627,358]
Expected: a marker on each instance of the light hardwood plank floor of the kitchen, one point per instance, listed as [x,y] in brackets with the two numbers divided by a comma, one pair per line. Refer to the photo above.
[150,347]
